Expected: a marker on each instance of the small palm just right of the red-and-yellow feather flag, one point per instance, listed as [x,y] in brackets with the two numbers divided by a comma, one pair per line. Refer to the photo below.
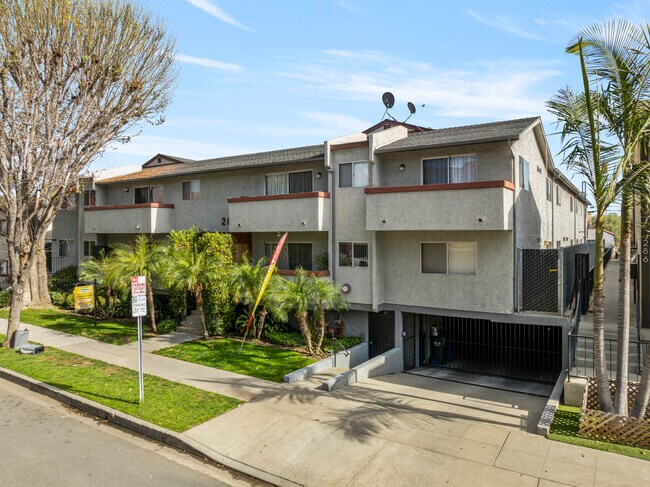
[297,295]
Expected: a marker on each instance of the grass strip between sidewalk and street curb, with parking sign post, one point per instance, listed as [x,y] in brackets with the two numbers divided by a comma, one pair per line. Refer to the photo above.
[168,404]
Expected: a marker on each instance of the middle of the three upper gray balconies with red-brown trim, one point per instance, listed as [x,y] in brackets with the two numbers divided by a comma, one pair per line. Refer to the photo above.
[295,212]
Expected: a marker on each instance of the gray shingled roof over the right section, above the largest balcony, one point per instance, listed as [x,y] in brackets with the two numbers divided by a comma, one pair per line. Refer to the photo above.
[468,134]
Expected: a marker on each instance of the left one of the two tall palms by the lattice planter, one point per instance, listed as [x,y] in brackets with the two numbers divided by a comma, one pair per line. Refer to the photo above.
[586,153]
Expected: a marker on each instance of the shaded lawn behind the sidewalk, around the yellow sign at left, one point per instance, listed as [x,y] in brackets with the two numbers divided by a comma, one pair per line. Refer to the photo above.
[115,332]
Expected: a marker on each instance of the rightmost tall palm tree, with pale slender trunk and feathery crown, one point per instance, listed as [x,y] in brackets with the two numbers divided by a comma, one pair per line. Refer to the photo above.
[614,53]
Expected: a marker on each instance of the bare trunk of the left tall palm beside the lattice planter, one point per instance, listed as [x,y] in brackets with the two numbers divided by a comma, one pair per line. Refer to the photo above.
[600,360]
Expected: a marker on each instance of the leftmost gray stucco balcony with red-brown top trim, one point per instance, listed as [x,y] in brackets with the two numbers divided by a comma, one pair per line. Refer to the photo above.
[139,218]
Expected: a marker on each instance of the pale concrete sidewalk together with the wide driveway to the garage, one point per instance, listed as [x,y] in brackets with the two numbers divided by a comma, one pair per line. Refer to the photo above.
[401,429]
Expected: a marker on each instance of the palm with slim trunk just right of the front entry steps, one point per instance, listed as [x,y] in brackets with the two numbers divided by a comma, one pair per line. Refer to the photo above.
[193,270]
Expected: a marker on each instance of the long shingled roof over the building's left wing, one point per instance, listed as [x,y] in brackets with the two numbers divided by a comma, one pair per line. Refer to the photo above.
[283,156]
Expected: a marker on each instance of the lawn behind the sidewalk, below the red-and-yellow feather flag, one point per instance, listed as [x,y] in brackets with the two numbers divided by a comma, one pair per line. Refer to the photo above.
[263,362]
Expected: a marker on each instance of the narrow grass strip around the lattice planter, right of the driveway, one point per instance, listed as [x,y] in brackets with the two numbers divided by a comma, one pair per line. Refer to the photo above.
[565,429]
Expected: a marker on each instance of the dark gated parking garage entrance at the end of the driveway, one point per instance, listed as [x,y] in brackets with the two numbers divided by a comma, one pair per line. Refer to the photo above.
[513,350]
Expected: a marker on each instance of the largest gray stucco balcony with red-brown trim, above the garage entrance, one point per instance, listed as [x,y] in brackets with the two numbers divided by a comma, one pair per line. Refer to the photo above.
[485,205]
